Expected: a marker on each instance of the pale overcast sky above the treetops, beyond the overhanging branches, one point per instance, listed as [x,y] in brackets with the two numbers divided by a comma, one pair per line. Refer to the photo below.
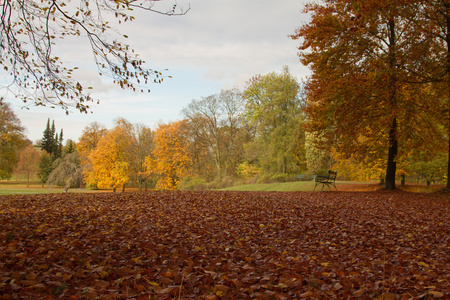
[217,45]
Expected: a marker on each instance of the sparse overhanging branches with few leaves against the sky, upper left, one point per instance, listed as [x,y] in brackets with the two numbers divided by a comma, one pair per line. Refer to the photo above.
[30,29]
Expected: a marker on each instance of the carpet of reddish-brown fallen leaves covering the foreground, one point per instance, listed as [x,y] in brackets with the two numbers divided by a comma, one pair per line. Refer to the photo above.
[225,245]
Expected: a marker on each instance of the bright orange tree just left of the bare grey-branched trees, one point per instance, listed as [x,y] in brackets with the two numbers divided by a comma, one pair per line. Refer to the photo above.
[170,160]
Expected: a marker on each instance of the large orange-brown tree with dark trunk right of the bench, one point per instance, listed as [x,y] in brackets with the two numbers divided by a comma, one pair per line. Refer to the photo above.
[359,52]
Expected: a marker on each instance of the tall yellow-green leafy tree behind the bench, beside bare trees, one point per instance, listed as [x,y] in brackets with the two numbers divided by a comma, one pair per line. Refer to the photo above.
[273,109]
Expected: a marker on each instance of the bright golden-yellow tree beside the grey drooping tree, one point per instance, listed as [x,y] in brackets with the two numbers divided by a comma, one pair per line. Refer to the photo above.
[110,168]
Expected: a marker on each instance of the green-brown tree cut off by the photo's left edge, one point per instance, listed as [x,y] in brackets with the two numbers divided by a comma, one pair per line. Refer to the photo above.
[12,140]
